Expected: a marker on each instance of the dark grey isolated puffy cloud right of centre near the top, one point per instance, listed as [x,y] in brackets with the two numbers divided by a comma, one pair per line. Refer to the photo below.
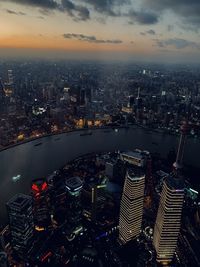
[142,17]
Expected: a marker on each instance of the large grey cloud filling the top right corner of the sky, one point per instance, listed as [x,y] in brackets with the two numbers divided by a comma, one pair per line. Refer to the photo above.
[189,10]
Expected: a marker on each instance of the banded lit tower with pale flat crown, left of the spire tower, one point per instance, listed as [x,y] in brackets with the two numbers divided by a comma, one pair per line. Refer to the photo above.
[131,208]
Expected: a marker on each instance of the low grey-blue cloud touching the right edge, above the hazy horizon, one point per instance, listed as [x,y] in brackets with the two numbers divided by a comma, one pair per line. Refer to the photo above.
[177,43]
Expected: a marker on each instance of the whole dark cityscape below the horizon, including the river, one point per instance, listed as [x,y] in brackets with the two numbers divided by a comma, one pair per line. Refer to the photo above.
[92,173]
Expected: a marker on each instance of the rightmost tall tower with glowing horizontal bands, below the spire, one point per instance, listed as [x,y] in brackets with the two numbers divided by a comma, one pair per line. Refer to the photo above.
[168,221]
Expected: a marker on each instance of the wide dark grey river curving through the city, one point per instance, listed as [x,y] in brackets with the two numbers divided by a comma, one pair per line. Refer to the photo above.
[32,161]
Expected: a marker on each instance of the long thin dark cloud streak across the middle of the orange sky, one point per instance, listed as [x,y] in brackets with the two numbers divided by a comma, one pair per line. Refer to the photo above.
[90,38]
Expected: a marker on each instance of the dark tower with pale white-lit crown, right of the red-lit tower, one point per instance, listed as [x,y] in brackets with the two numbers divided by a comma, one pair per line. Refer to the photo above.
[74,209]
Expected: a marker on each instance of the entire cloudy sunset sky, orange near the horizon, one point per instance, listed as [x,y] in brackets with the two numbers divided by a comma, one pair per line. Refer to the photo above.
[146,30]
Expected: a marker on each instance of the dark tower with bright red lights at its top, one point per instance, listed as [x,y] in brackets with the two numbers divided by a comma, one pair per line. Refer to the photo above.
[40,203]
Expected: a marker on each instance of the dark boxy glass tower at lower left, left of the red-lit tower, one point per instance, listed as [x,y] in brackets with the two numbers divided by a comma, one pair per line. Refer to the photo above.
[20,213]
